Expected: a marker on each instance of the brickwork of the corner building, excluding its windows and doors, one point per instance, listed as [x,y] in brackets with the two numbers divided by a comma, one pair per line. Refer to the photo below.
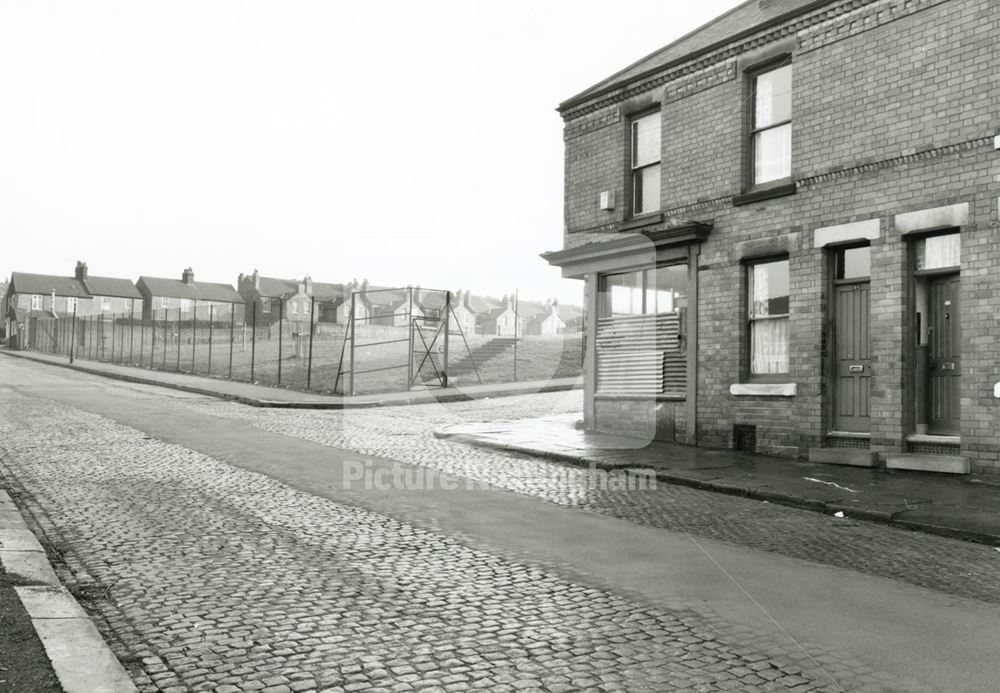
[894,110]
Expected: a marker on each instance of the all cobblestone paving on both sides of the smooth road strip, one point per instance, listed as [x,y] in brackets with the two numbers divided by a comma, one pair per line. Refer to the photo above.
[204,576]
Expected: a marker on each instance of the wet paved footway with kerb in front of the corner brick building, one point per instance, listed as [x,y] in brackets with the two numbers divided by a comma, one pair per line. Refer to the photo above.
[965,508]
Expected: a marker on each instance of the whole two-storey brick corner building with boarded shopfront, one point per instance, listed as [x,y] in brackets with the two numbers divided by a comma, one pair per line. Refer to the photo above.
[786,223]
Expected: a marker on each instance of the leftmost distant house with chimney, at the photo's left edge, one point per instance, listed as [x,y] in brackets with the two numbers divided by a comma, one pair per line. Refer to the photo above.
[47,296]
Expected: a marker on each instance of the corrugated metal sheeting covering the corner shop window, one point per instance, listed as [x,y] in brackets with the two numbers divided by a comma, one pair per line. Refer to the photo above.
[640,355]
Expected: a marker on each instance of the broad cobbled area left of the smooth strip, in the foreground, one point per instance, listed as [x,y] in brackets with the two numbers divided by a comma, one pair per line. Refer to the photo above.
[208,577]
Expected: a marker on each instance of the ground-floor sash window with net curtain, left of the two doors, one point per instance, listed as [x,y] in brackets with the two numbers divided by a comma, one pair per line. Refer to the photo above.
[768,316]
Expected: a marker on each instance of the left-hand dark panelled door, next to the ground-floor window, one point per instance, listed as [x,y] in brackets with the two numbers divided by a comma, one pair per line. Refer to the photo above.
[853,358]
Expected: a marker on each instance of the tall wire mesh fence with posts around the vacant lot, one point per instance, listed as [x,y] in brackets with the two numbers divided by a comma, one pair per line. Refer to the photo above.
[380,345]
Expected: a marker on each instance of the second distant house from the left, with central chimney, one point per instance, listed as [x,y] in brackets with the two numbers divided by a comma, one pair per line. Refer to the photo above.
[186,299]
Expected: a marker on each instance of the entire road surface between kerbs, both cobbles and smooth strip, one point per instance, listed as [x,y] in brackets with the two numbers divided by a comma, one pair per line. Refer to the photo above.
[227,548]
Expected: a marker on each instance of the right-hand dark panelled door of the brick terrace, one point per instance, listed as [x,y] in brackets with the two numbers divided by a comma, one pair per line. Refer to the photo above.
[944,357]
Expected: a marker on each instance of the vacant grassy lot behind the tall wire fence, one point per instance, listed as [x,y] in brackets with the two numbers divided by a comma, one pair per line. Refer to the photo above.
[324,363]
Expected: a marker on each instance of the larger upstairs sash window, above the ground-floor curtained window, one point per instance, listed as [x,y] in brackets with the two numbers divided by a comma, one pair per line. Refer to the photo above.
[771,133]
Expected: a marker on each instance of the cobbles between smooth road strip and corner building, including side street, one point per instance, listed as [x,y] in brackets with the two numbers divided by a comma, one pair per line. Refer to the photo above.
[947,565]
